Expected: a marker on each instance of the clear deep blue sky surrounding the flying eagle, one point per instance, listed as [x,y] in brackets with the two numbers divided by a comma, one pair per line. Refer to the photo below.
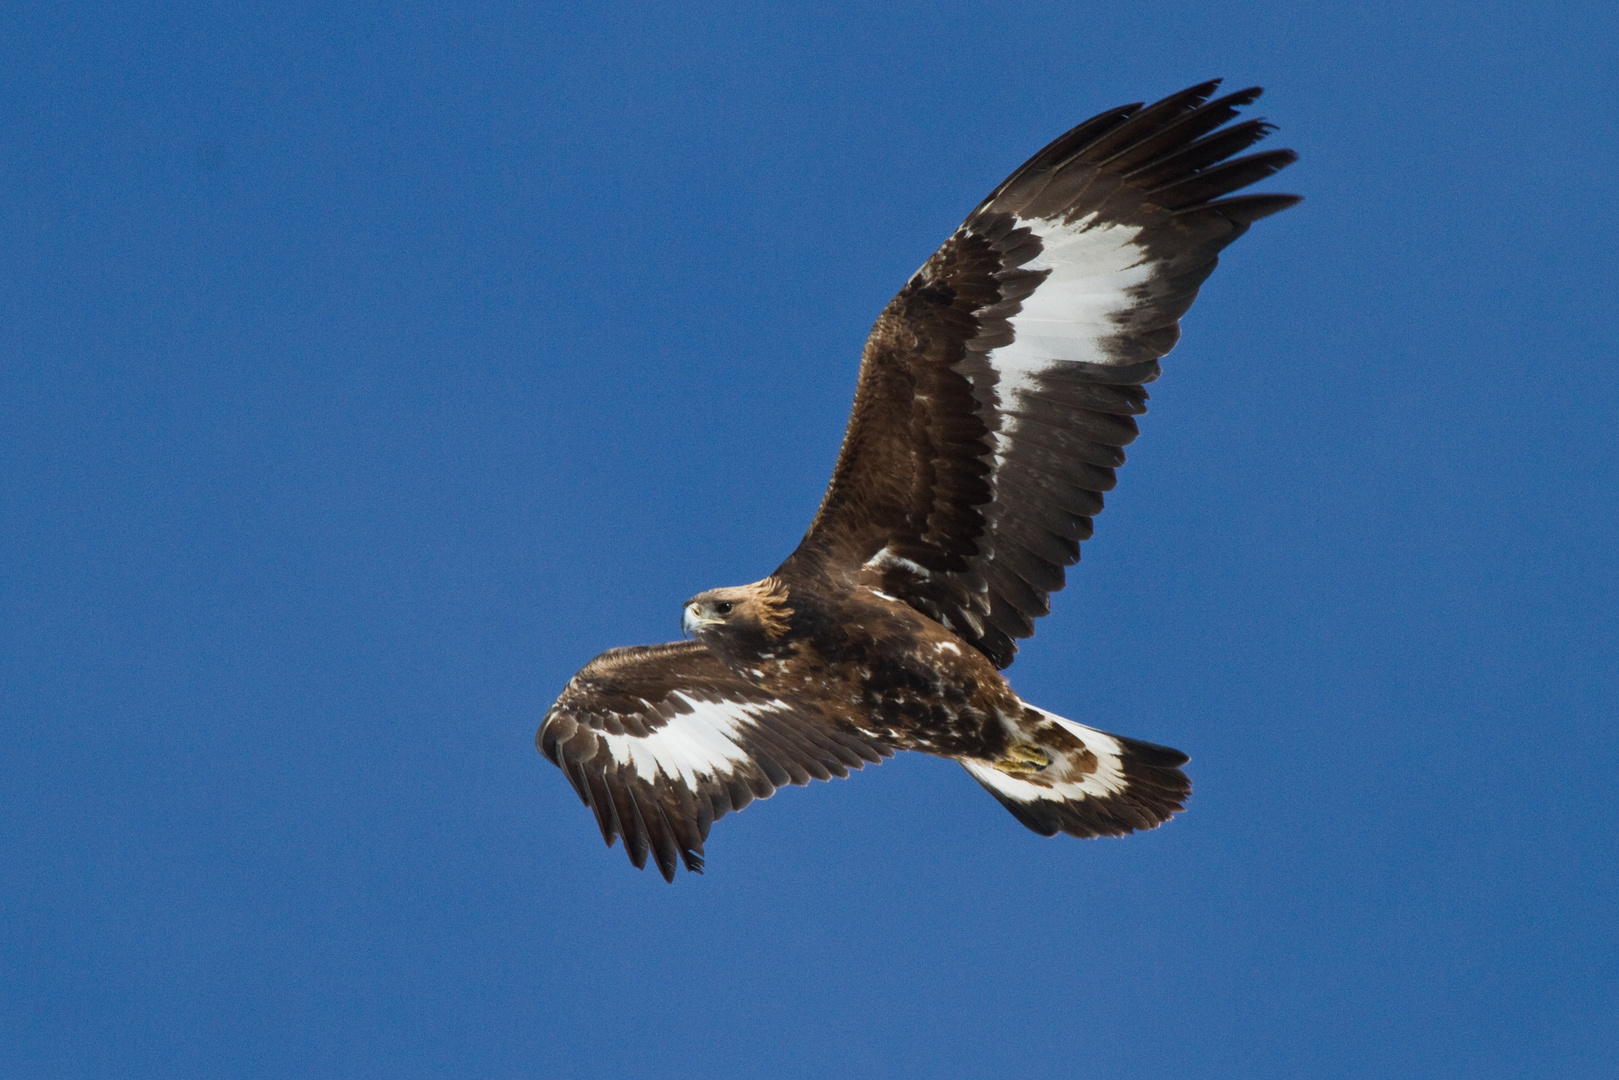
[363,373]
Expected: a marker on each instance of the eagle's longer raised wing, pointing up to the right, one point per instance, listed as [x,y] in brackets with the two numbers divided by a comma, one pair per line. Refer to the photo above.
[998,389]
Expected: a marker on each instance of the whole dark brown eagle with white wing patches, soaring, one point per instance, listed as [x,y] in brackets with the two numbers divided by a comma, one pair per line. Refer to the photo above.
[995,398]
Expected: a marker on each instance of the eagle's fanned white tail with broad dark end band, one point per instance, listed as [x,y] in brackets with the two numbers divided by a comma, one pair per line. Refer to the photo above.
[1076,780]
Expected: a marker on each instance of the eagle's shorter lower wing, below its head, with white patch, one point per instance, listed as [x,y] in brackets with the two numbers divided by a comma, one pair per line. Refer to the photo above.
[660,741]
